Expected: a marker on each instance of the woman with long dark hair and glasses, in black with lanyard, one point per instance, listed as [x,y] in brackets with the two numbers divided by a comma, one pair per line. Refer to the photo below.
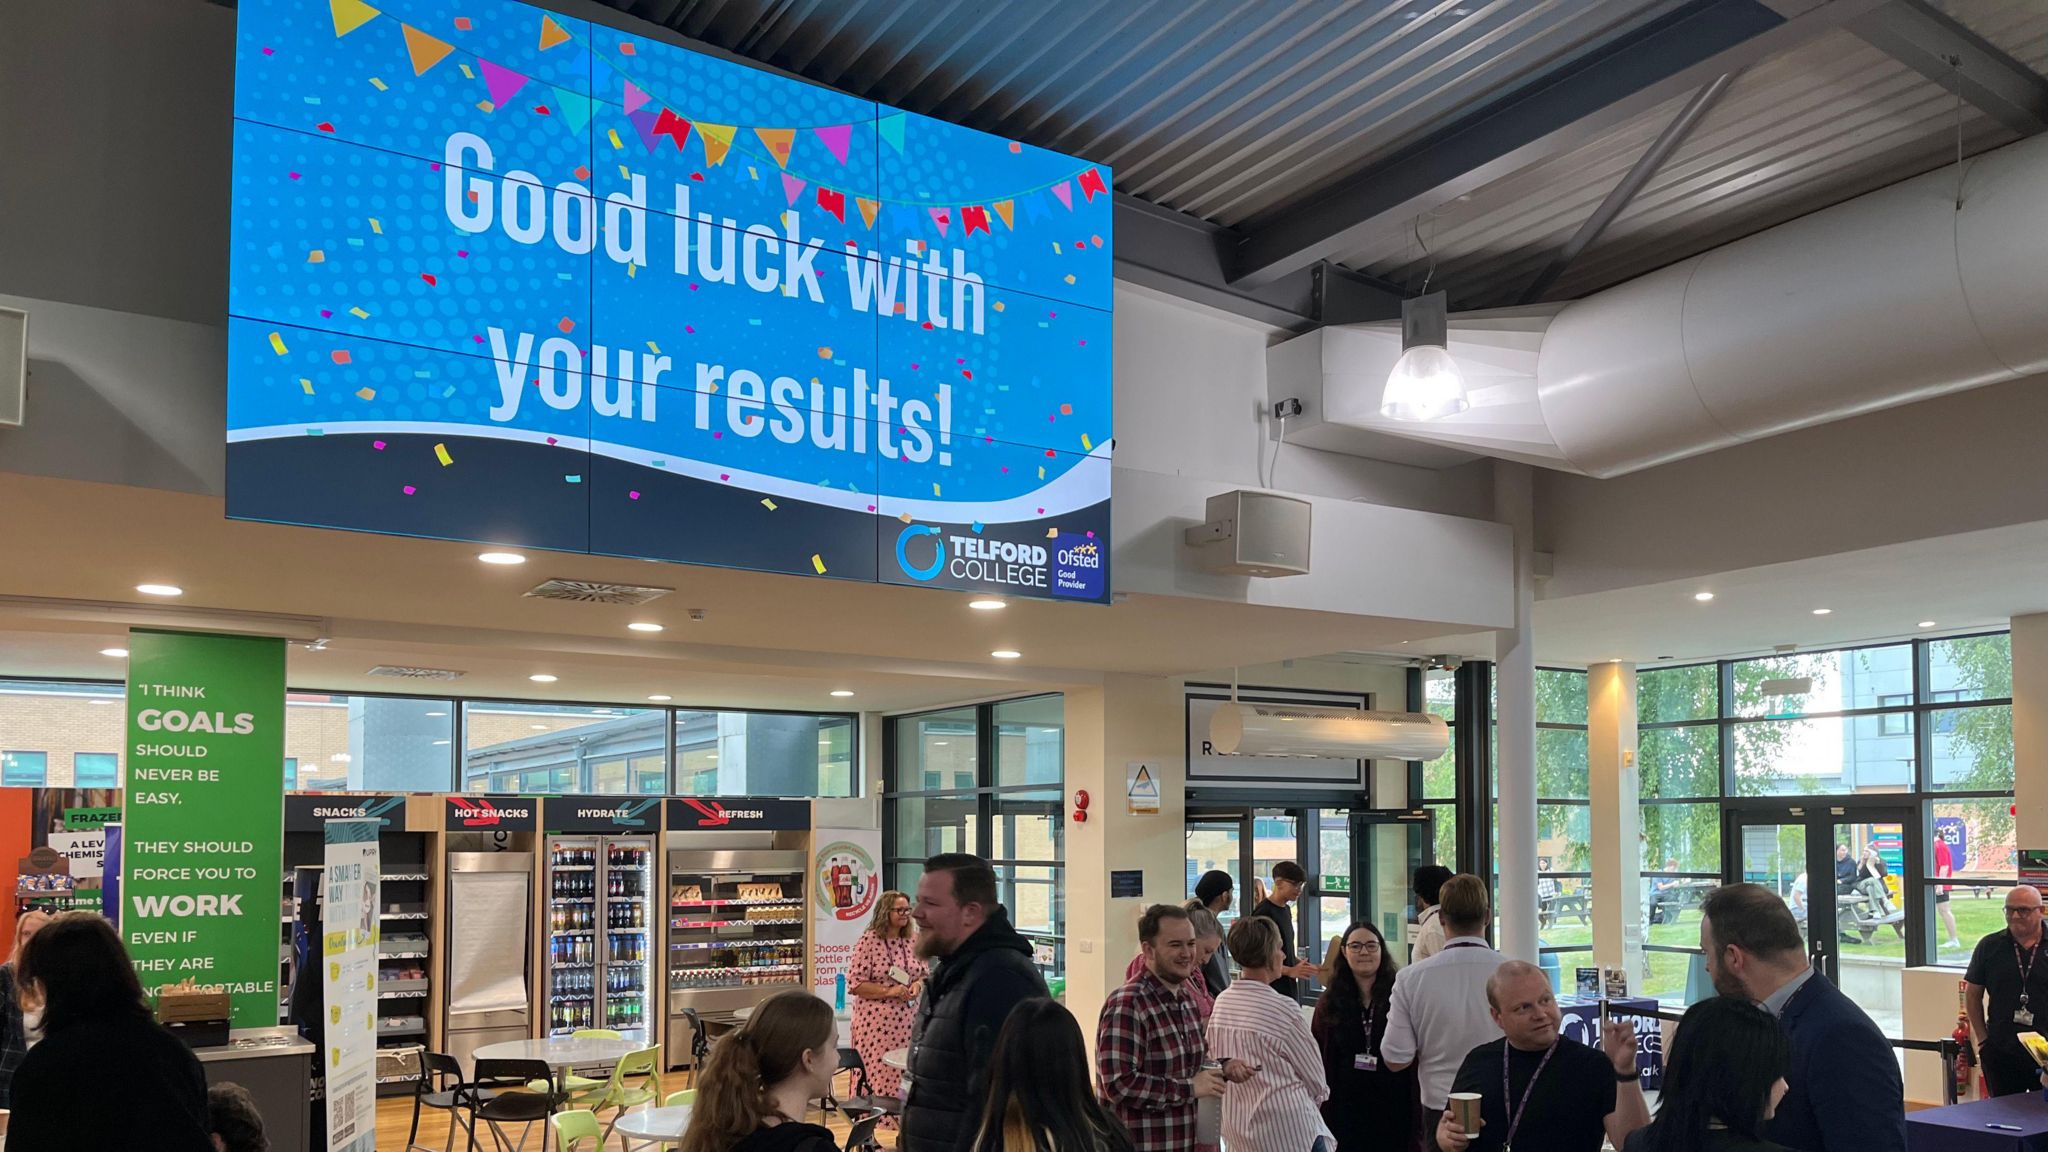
[1369,1108]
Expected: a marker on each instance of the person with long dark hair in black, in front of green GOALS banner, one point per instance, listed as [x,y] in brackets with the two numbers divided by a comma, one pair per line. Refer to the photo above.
[97,1032]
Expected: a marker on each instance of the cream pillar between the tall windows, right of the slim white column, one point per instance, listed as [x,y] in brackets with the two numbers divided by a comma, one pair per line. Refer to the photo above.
[1611,751]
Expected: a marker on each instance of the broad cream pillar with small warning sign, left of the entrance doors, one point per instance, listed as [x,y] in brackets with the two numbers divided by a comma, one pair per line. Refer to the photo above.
[1125,721]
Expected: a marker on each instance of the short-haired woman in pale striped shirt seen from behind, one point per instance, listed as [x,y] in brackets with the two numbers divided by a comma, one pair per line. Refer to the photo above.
[1279,1110]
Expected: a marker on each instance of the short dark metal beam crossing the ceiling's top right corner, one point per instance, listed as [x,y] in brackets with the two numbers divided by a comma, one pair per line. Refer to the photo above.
[1936,46]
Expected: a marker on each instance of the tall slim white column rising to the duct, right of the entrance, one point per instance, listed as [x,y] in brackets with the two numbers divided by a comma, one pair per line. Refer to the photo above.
[1514,677]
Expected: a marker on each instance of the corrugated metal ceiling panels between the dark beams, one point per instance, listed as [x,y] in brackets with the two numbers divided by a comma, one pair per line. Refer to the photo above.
[1240,110]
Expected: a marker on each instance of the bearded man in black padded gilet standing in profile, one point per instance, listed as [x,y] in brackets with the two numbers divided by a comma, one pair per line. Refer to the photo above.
[986,971]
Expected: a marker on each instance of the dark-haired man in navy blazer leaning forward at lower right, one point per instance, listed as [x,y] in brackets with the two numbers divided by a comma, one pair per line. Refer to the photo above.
[1844,1089]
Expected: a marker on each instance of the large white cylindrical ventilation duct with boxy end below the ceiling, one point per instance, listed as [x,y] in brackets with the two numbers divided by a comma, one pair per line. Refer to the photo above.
[1877,302]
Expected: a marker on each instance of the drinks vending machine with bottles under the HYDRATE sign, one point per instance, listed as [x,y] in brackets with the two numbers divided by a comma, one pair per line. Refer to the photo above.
[601,915]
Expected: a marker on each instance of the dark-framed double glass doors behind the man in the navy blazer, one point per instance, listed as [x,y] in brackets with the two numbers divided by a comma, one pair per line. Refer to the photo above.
[1842,868]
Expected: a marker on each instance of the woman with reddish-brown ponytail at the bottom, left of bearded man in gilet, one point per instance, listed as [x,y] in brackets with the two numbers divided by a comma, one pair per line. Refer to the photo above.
[763,1077]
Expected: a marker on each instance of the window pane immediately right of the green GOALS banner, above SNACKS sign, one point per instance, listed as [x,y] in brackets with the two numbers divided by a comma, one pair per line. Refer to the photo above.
[351,743]
